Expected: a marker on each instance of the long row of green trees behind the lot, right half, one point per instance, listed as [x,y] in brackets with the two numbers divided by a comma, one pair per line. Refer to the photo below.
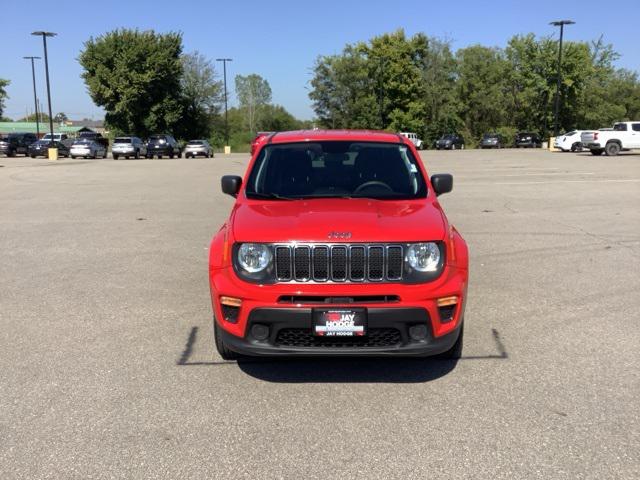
[417,84]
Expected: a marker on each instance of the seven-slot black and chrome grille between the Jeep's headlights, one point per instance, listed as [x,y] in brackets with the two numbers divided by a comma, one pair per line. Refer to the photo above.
[339,263]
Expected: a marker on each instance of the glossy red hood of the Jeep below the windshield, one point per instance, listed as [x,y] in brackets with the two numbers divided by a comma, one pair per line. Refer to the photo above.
[313,220]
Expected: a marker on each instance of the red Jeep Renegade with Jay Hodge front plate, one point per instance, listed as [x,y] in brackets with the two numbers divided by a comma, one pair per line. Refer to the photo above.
[337,245]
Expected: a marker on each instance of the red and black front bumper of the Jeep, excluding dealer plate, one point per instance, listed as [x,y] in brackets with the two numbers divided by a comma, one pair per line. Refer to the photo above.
[290,321]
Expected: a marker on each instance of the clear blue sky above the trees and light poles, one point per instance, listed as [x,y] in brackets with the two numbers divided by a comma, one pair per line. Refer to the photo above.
[279,40]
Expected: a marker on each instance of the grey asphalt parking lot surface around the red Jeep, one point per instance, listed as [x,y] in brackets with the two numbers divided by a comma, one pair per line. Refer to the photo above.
[108,368]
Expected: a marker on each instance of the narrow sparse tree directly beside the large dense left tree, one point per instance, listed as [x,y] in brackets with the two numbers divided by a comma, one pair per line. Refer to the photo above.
[201,96]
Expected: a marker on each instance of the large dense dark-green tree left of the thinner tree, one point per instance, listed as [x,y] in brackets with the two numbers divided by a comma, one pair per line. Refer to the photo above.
[136,77]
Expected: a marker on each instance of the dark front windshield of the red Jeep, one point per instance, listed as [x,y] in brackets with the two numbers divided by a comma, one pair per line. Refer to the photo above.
[336,169]
